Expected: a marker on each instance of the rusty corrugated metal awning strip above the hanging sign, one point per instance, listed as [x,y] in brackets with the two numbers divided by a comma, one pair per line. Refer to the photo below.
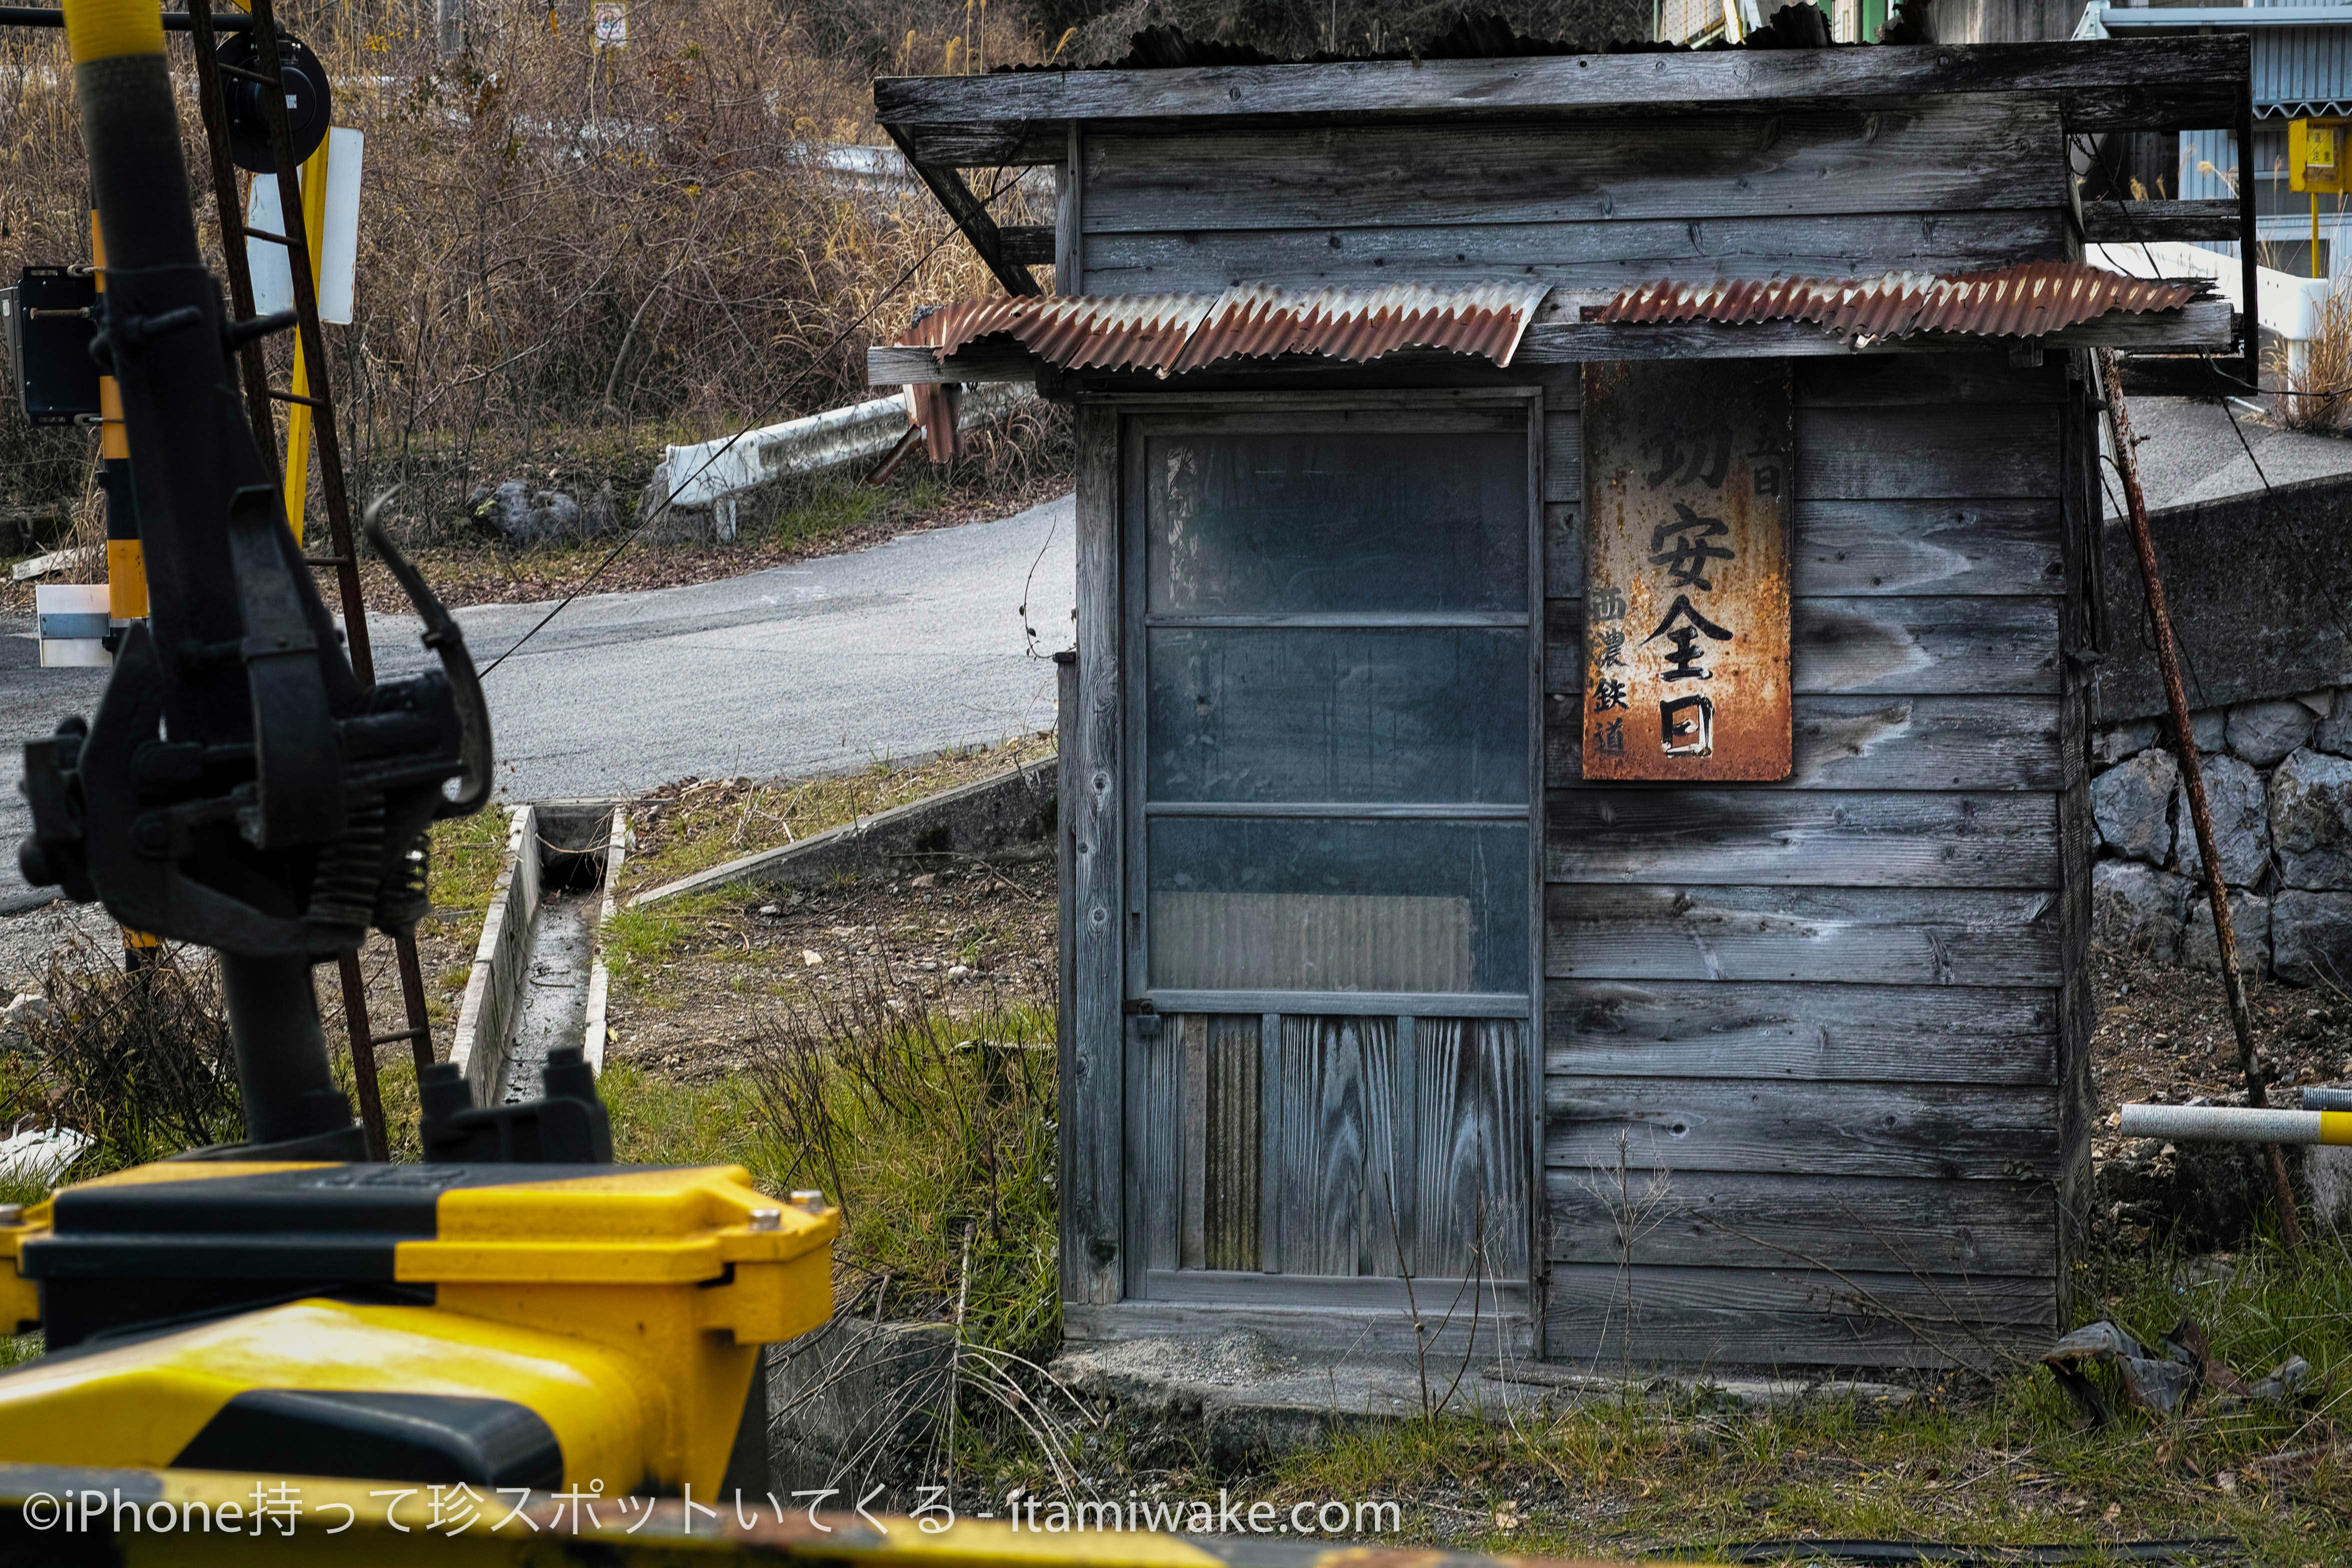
[2012,302]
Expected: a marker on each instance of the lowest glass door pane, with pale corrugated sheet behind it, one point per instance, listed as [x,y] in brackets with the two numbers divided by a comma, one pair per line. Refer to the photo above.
[1337,906]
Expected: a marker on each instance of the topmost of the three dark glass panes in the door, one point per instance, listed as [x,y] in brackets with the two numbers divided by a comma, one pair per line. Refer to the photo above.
[1337,523]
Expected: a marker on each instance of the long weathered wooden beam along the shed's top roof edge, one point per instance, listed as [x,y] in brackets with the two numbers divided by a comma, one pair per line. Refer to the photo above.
[1020,116]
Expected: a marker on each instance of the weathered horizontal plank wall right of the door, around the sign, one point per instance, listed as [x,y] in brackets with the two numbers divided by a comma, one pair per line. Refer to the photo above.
[1803,1043]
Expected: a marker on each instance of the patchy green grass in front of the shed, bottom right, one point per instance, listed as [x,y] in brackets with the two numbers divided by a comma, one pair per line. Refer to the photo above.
[1989,1463]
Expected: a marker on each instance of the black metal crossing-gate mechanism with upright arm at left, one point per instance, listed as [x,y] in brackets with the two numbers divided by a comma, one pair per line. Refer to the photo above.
[246,782]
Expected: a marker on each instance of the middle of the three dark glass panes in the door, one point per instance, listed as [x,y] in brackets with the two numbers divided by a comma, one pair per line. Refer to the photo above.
[1361,716]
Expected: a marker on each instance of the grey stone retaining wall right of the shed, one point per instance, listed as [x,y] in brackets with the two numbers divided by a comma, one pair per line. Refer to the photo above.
[2280,786]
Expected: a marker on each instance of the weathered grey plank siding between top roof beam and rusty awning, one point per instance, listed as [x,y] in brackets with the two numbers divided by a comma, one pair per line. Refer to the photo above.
[1930,185]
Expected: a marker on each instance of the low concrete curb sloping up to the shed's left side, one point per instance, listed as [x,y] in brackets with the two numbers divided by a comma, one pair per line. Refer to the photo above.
[987,819]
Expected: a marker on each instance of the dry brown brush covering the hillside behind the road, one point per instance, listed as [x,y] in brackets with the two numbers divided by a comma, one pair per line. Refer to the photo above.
[570,255]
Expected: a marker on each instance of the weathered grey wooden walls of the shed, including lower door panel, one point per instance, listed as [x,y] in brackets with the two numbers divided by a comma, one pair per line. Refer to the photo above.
[1815,1052]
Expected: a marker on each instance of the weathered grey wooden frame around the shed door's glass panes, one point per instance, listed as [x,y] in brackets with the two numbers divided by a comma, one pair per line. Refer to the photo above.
[1274,415]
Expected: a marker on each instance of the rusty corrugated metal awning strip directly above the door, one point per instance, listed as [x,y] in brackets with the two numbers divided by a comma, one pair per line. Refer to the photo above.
[1177,333]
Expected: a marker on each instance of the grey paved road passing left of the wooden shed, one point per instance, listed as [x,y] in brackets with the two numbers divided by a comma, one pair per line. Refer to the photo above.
[831,664]
